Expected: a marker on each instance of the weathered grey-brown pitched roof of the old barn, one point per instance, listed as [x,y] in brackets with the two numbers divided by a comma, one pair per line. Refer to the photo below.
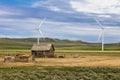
[42,47]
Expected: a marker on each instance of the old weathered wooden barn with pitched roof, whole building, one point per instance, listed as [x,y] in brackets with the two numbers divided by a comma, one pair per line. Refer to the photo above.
[43,50]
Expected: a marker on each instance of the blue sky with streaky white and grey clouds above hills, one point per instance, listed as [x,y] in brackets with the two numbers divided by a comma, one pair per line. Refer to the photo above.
[65,19]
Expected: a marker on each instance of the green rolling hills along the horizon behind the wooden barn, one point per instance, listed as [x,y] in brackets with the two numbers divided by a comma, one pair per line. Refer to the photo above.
[26,43]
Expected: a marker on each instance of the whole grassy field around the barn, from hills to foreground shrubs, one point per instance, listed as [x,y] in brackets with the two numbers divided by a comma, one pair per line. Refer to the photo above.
[72,59]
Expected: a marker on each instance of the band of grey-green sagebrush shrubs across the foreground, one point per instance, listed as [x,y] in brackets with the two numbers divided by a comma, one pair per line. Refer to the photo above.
[65,73]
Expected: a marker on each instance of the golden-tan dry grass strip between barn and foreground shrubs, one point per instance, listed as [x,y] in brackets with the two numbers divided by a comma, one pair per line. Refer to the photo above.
[84,61]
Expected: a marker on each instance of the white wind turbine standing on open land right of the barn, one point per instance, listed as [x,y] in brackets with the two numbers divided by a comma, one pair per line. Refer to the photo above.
[101,34]
